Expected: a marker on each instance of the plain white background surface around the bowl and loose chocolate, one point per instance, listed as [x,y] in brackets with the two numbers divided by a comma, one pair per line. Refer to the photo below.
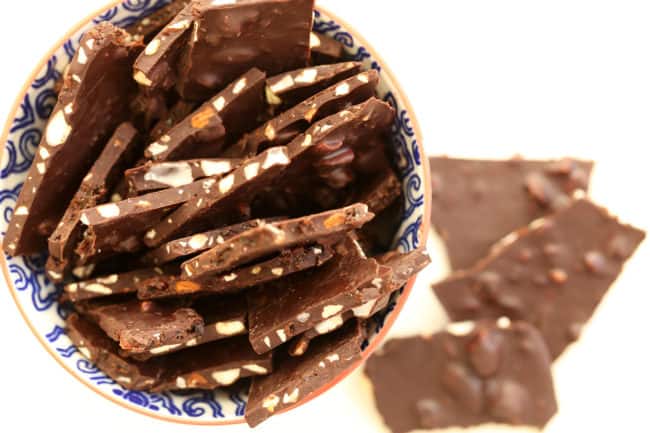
[487,79]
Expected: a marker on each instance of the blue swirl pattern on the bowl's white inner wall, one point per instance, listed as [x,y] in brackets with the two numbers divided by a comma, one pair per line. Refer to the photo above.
[37,296]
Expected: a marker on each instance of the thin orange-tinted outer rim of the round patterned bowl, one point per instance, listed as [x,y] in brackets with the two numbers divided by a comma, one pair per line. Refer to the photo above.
[390,320]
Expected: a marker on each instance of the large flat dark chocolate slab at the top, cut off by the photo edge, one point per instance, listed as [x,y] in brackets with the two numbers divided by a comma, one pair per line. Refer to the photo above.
[230,38]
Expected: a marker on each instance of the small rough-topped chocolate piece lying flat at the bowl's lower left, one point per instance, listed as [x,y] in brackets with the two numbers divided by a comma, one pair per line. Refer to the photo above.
[144,326]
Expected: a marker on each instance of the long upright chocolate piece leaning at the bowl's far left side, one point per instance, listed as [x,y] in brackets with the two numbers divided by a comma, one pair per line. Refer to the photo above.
[92,103]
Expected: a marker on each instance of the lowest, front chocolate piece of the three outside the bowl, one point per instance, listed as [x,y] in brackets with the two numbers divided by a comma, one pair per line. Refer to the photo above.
[472,374]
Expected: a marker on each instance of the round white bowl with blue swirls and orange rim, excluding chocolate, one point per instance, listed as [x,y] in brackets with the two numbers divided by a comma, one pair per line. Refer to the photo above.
[36,296]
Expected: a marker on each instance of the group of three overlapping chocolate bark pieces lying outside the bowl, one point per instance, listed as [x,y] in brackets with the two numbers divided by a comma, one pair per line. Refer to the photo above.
[532,257]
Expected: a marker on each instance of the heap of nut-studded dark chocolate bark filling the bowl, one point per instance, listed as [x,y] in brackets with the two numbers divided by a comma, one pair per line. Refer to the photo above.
[216,195]
